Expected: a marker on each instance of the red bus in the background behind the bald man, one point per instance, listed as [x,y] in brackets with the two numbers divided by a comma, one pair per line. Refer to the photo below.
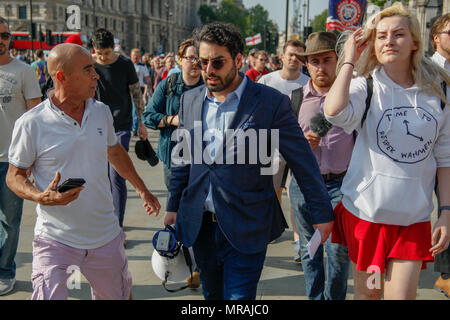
[21,40]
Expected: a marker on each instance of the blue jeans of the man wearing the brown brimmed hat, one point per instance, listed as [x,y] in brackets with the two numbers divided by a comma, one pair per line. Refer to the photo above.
[338,262]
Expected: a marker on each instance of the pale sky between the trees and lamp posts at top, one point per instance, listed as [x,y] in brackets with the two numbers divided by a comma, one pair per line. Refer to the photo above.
[277,9]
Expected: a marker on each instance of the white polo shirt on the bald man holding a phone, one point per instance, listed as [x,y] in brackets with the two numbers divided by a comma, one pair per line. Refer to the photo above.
[48,140]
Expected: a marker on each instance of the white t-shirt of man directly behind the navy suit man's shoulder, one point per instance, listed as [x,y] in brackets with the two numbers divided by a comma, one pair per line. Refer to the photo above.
[286,87]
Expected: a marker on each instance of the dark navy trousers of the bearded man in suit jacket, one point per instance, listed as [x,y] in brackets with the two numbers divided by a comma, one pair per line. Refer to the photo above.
[225,273]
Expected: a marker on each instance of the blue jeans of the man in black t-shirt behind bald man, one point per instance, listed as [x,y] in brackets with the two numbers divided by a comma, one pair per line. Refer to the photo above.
[118,184]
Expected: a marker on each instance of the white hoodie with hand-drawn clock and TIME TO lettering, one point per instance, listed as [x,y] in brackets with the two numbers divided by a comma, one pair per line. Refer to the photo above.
[405,137]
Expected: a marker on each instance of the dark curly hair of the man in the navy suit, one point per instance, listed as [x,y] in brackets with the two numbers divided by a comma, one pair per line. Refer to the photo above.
[222,34]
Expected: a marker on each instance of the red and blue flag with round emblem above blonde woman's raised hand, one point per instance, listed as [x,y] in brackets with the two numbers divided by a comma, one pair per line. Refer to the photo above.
[345,15]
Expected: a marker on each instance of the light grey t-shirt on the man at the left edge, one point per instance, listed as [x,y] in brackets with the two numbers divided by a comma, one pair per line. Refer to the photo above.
[18,83]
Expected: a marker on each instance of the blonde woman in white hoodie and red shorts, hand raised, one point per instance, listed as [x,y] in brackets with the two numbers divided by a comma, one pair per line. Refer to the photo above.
[384,217]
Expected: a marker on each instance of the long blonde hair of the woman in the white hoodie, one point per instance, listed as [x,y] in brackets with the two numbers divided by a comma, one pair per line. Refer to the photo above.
[426,73]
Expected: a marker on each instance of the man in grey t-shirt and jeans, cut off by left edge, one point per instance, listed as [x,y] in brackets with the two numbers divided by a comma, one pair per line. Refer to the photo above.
[19,92]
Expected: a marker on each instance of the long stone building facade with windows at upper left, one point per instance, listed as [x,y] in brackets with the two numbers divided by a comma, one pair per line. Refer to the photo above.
[154,25]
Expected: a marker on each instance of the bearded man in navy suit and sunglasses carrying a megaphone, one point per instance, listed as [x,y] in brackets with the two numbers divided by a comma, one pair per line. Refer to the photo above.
[221,196]
